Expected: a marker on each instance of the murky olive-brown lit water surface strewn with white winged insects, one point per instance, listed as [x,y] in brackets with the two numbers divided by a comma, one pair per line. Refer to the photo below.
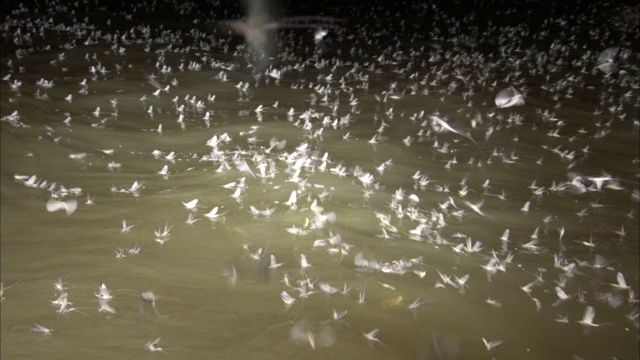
[157,198]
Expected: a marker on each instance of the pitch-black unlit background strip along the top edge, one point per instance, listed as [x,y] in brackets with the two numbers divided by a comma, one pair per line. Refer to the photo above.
[413,20]
